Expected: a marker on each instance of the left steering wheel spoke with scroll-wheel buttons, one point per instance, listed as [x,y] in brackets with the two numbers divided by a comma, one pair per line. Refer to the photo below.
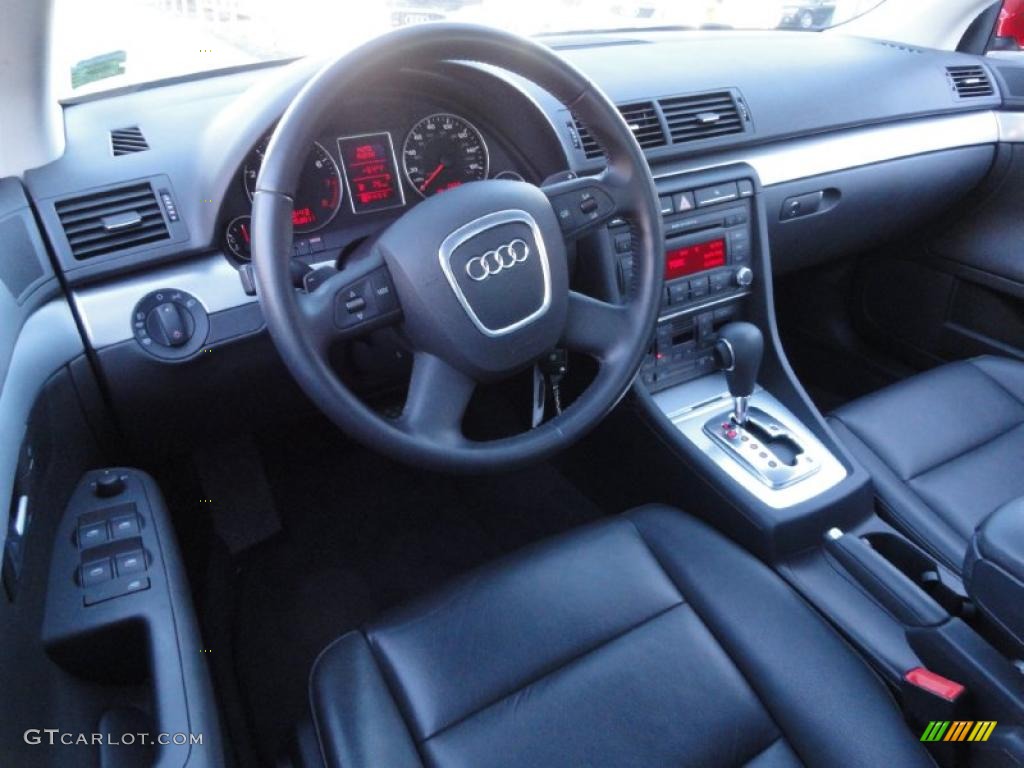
[351,304]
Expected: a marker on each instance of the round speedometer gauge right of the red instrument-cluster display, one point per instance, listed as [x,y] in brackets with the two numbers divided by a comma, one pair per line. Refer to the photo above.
[443,152]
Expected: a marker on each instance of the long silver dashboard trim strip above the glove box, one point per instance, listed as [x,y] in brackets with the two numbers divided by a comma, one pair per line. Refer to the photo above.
[803,158]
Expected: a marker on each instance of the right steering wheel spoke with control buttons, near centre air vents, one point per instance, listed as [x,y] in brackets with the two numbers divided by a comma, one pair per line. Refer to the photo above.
[585,205]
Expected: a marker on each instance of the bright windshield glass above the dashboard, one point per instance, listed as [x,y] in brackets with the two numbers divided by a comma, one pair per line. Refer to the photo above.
[103,45]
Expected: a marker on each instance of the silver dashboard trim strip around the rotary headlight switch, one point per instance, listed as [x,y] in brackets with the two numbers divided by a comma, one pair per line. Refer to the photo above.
[106,310]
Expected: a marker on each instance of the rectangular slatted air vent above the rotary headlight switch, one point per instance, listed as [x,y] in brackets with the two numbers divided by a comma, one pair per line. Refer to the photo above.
[112,221]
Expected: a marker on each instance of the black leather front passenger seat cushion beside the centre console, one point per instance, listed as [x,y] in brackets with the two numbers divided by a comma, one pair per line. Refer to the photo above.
[946,449]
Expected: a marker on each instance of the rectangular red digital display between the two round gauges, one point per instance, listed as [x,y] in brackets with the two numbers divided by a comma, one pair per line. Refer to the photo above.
[371,173]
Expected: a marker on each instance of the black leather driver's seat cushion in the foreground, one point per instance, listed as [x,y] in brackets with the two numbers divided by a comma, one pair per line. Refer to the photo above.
[648,641]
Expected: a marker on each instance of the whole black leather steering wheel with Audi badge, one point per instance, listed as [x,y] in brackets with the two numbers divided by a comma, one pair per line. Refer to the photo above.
[477,278]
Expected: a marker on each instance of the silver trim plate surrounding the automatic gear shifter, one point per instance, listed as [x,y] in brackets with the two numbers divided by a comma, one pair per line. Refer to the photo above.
[690,406]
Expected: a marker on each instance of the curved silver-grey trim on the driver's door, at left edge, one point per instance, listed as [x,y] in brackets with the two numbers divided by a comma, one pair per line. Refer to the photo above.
[49,340]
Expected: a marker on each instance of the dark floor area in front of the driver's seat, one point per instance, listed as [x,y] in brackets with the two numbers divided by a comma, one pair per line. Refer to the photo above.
[360,535]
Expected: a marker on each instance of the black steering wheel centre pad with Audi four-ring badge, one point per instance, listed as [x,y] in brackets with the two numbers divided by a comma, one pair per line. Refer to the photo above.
[482,275]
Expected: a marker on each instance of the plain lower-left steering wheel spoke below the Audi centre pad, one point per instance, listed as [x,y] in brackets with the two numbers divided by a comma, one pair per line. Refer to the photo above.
[439,396]
